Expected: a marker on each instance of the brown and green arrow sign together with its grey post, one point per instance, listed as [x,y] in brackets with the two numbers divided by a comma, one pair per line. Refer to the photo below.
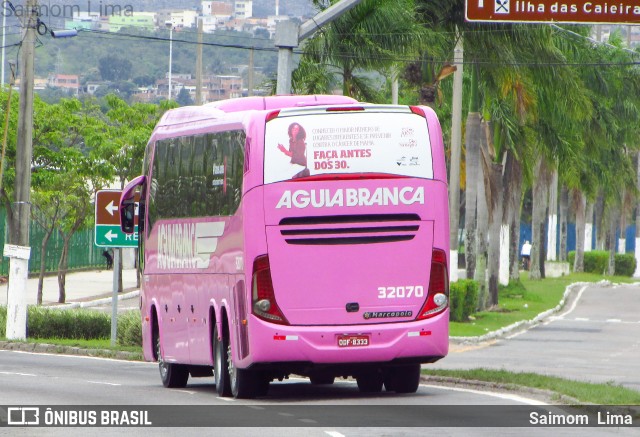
[108,234]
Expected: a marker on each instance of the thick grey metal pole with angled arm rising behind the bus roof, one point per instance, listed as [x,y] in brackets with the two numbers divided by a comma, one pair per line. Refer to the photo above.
[289,35]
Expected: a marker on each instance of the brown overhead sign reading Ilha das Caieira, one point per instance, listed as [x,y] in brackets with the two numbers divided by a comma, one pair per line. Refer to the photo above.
[554,11]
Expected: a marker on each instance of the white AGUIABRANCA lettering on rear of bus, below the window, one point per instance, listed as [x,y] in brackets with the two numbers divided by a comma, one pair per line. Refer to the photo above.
[325,198]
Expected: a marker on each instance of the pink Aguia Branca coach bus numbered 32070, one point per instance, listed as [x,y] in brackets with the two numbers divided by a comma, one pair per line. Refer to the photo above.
[303,235]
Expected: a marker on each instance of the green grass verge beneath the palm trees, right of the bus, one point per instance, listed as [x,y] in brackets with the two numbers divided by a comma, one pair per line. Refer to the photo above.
[524,300]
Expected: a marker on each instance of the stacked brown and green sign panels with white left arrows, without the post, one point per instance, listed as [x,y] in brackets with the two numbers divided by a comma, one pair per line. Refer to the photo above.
[107,231]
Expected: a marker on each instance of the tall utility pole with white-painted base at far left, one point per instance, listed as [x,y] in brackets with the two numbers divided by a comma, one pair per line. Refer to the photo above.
[20,252]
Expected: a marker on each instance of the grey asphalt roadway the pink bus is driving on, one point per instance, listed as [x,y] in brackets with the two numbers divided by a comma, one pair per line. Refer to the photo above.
[81,382]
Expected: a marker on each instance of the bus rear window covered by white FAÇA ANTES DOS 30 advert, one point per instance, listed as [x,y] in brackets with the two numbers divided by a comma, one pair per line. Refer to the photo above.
[347,143]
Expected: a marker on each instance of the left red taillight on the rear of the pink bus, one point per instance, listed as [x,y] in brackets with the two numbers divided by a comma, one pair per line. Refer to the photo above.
[263,299]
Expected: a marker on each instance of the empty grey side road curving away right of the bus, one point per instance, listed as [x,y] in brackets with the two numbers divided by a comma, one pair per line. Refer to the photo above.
[597,339]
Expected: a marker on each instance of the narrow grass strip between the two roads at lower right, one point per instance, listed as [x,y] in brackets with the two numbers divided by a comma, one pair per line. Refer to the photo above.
[583,392]
